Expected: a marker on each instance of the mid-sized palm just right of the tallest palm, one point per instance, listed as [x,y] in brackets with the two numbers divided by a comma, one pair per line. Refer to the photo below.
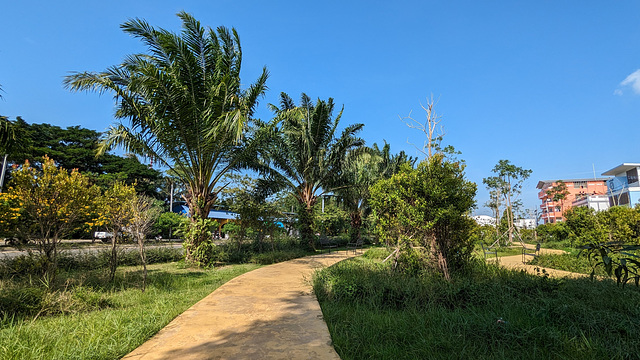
[307,156]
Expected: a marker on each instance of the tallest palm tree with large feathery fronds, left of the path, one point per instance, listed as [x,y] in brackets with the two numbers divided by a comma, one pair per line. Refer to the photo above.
[183,104]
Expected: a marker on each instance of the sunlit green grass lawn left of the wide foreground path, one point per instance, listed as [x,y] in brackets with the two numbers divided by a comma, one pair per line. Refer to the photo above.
[94,320]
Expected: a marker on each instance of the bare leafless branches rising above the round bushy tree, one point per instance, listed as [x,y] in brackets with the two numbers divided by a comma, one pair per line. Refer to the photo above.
[431,127]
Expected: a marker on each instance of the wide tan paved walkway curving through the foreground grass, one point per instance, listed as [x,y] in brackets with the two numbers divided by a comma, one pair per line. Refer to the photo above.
[268,313]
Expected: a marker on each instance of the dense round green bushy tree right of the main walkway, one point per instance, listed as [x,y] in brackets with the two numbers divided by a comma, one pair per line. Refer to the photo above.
[427,207]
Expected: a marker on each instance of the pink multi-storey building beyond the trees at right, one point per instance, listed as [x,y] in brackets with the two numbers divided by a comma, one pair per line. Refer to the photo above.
[582,192]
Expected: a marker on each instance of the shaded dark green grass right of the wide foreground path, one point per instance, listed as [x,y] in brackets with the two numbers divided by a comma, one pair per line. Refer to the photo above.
[489,313]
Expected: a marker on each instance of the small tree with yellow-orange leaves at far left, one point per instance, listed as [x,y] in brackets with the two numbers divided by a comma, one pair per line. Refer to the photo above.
[52,203]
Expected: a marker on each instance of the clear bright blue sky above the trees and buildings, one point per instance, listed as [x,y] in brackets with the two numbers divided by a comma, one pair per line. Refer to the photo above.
[551,86]
